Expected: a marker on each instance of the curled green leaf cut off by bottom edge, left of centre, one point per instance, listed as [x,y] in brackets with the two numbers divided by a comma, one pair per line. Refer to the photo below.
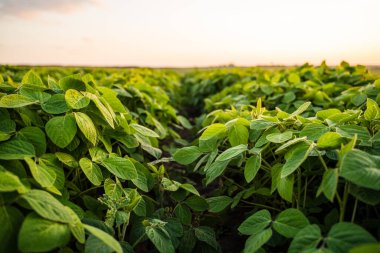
[160,238]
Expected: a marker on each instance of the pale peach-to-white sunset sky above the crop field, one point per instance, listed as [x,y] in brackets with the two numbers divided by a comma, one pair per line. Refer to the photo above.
[189,33]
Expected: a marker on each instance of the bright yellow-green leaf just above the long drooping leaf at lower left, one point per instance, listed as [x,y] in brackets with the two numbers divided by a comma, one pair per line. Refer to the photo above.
[45,176]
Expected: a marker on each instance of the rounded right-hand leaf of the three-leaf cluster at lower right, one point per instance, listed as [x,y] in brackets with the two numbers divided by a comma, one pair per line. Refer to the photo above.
[289,222]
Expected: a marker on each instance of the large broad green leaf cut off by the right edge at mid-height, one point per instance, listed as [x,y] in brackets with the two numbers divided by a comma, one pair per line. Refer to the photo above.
[361,168]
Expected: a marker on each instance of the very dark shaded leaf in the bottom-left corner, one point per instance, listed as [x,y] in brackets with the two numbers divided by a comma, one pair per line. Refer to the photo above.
[10,220]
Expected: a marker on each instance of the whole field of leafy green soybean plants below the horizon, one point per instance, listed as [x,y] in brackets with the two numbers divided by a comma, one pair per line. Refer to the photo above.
[220,160]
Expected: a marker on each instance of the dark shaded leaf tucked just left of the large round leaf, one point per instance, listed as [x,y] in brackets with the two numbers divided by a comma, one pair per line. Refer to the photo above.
[35,136]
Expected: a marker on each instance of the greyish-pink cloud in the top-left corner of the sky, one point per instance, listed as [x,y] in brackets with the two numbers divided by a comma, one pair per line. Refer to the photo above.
[32,8]
